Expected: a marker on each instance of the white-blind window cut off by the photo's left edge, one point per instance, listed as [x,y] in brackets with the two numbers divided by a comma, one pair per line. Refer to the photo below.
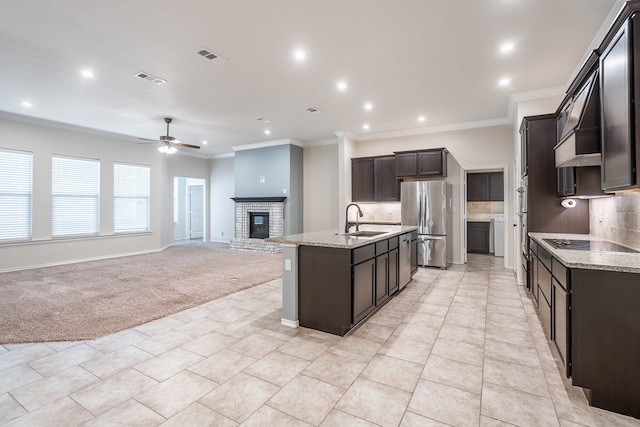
[16,171]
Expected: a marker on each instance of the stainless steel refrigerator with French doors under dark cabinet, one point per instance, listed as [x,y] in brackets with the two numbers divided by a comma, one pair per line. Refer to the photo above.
[427,205]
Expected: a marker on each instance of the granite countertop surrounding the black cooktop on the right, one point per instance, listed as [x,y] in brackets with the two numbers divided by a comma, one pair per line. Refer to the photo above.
[589,260]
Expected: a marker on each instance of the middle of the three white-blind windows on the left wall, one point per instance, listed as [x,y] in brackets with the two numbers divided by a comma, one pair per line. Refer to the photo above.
[76,196]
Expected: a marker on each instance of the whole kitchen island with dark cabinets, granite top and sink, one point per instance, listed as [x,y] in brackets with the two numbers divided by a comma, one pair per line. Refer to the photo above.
[333,280]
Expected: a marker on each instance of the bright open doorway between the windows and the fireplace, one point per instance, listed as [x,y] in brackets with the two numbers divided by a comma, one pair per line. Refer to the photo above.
[188,209]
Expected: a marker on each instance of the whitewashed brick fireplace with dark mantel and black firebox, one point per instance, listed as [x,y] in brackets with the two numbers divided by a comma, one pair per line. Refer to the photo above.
[252,208]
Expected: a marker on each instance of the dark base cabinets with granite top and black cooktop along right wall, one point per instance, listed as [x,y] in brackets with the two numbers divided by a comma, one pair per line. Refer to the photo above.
[587,291]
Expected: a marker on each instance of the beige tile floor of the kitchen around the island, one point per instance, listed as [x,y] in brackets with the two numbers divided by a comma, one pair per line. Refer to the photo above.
[456,347]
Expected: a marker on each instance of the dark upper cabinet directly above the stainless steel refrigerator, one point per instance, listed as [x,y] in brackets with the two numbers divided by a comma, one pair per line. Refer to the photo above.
[422,164]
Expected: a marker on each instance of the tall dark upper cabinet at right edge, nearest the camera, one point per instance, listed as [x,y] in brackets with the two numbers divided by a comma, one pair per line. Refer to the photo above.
[620,87]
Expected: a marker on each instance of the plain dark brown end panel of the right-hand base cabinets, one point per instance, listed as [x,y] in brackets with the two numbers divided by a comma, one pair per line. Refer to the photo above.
[605,349]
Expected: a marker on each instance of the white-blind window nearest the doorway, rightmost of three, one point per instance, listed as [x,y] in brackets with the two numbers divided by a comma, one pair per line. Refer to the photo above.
[131,194]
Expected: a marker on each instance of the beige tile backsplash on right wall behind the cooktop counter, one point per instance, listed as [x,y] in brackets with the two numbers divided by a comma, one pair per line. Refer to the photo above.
[617,218]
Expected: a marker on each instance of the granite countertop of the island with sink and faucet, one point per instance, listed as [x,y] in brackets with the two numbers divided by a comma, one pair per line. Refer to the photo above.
[335,238]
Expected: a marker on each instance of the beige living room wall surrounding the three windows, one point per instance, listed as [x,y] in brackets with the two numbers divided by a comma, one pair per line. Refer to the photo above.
[45,139]
